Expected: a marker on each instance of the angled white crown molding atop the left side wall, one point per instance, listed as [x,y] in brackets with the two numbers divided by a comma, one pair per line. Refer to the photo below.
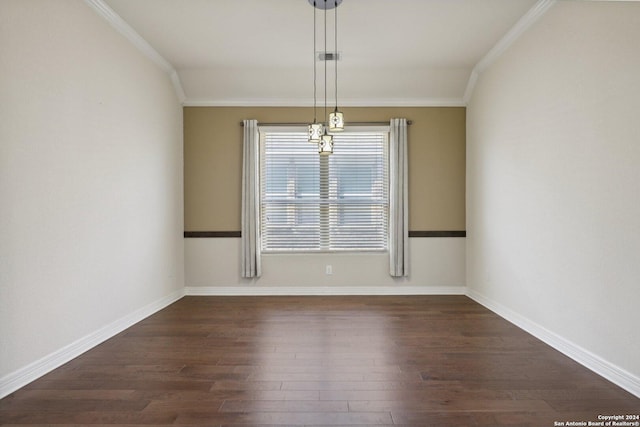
[120,25]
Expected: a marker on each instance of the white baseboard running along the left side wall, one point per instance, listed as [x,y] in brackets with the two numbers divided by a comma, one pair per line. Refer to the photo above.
[23,376]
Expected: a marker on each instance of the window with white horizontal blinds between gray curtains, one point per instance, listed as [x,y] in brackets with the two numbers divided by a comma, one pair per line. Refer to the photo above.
[310,202]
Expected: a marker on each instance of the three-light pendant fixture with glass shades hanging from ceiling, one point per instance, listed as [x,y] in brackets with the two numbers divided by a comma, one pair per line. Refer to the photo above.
[318,131]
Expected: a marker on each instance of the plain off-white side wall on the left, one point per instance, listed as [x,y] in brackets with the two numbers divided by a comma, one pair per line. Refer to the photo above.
[91,213]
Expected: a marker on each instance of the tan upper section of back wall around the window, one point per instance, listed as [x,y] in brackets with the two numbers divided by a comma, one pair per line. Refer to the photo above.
[213,161]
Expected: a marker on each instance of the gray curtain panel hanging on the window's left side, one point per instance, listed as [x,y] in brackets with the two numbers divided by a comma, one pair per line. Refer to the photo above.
[250,200]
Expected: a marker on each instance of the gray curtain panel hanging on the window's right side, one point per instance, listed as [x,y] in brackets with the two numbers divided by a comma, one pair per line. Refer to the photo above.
[399,200]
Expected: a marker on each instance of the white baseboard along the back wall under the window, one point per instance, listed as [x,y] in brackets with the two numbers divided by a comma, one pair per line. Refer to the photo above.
[322,290]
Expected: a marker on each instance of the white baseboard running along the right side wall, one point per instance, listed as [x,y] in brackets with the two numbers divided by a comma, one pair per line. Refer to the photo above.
[595,363]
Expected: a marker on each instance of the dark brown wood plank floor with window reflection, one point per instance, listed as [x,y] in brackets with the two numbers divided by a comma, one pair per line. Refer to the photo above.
[264,361]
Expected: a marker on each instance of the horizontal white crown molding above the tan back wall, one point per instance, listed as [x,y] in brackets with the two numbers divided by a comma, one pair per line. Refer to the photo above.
[434,102]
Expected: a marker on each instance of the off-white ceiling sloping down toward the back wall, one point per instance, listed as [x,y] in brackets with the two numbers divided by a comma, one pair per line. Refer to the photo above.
[260,52]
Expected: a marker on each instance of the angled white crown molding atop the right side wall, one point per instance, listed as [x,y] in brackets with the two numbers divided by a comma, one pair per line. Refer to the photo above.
[520,27]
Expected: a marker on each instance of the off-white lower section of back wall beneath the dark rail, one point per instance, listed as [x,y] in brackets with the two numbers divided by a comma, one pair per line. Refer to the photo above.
[212,266]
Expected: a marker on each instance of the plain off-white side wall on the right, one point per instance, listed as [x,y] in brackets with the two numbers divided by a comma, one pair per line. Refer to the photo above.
[553,182]
